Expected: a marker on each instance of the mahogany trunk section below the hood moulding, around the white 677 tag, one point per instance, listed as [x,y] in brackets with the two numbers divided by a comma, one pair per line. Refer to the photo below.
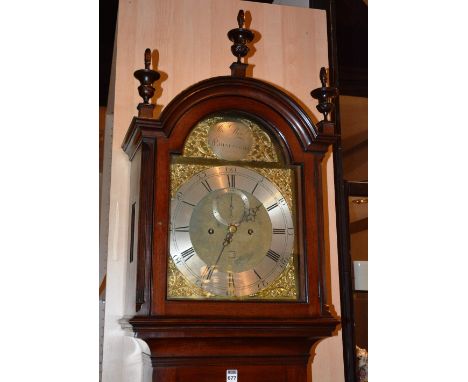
[272,360]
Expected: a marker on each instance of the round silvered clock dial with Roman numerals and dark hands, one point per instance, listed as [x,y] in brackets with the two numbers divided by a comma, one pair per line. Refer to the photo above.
[232,232]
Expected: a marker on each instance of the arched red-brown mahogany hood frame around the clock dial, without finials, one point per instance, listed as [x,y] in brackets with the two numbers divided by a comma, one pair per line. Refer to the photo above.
[152,142]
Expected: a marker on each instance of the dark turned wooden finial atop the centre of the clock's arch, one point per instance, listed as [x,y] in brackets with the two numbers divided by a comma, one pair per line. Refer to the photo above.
[240,37]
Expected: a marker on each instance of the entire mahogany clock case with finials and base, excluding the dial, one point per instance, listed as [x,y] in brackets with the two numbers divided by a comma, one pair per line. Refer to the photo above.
[201,339]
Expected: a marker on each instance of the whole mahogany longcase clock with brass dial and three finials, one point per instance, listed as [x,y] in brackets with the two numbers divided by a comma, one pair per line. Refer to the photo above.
[227,227]
